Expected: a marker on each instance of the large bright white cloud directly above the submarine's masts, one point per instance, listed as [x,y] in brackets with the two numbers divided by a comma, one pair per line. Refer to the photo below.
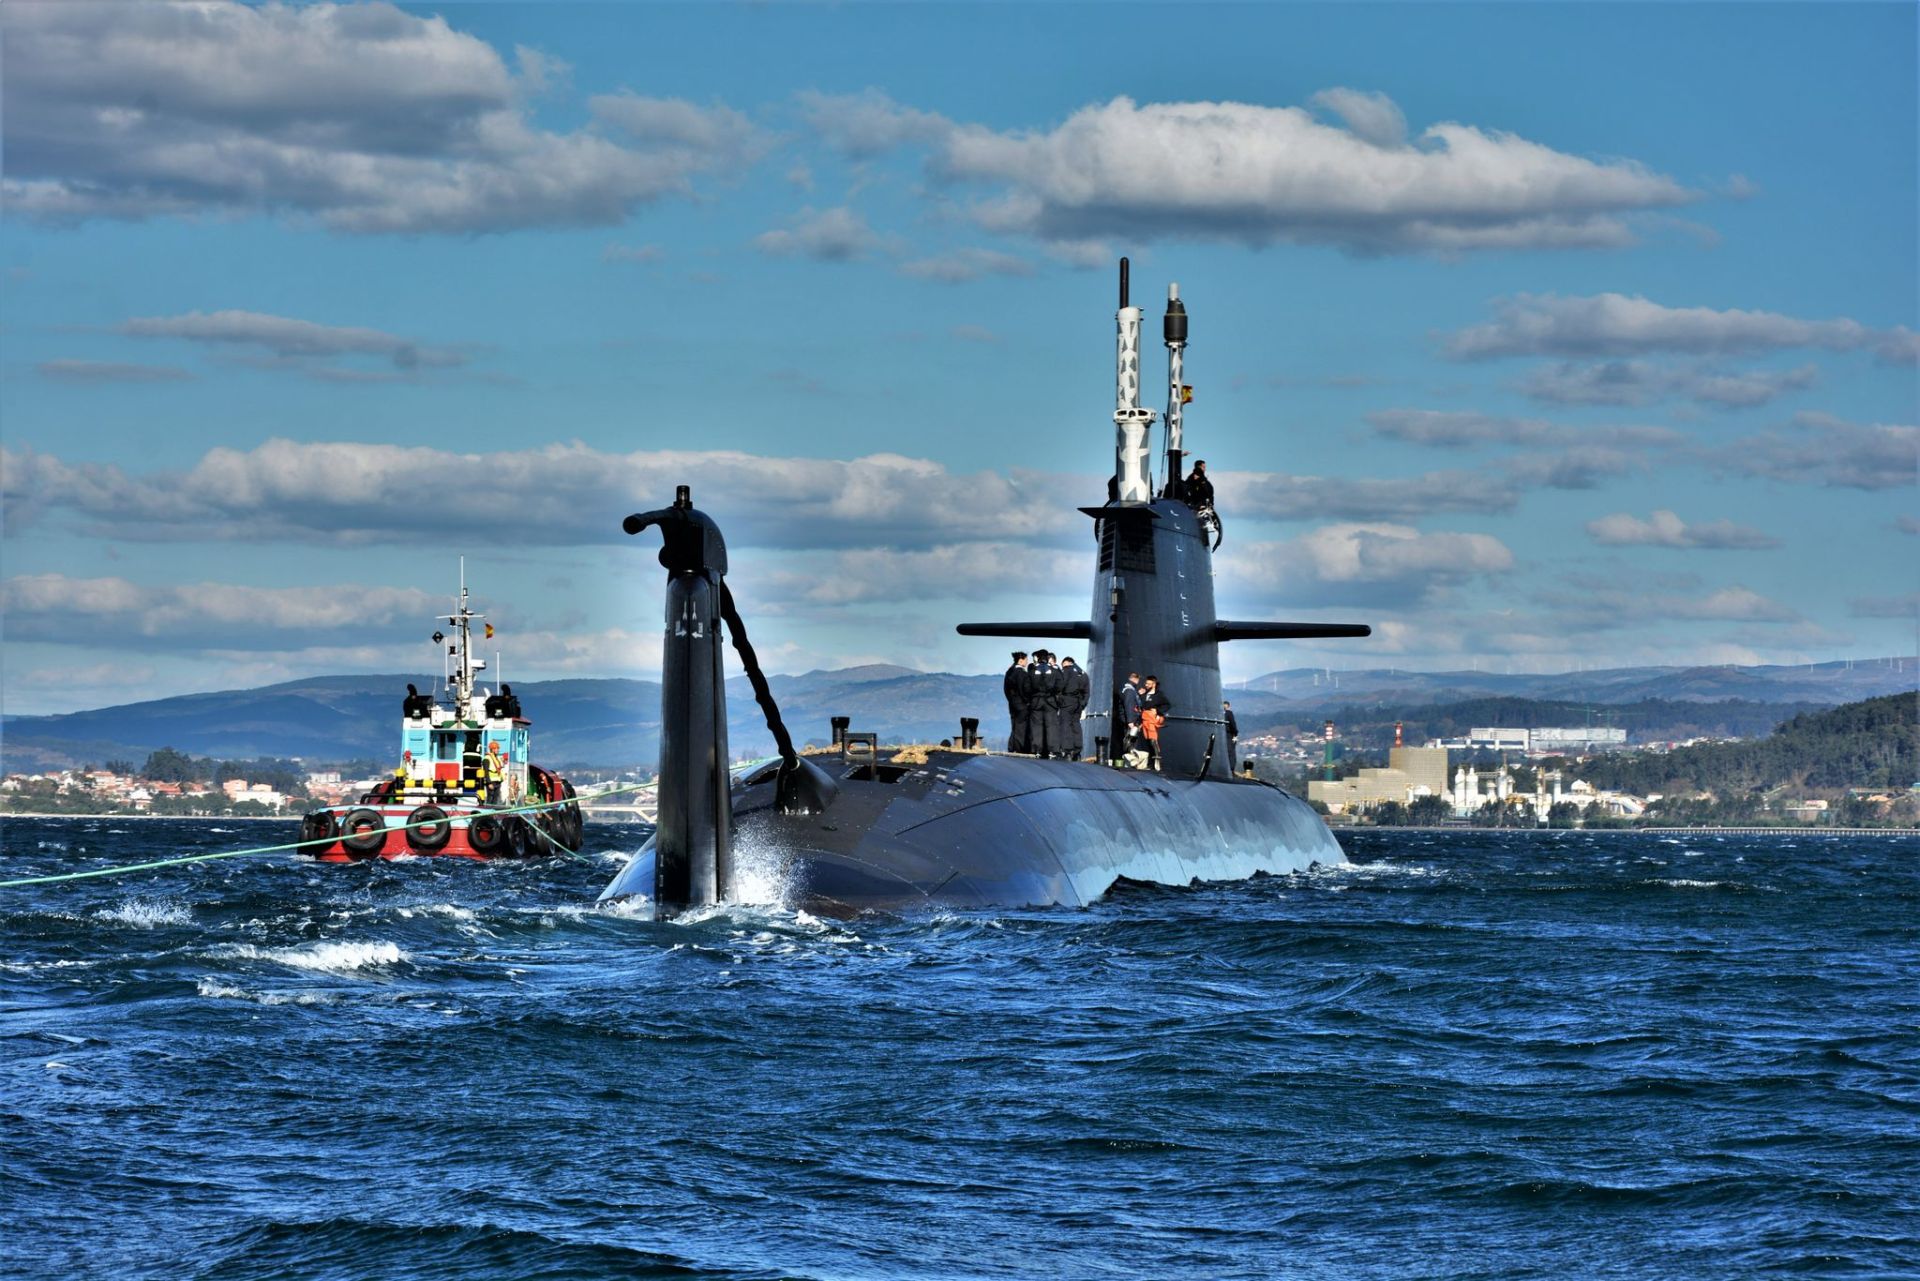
[1260,176]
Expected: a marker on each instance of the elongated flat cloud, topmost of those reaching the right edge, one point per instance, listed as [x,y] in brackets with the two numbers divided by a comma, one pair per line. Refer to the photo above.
[1620,326]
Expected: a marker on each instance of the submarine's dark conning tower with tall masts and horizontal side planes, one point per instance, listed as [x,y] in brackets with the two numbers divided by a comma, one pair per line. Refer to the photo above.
[1153,592]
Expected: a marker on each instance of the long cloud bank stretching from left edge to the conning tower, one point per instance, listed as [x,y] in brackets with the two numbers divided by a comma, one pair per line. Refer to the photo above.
[564,495]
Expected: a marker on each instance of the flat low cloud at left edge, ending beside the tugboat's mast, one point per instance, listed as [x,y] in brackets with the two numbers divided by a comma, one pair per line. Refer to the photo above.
[55,608]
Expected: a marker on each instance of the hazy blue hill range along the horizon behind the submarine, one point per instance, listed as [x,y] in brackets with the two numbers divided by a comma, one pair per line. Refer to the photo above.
[615,723]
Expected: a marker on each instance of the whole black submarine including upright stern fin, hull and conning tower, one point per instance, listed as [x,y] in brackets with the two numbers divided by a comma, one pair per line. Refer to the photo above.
[965,829]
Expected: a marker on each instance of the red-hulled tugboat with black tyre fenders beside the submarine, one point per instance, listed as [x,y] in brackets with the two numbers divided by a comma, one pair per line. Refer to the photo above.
[466,786]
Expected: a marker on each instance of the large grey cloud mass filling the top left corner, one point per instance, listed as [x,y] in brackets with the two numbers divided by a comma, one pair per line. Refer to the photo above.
[364,118]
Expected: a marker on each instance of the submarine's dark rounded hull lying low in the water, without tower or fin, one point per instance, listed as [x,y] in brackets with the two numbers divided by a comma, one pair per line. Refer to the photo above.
[969,831]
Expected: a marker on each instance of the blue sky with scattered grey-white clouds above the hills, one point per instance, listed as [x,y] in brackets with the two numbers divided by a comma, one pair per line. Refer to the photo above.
[1539,337]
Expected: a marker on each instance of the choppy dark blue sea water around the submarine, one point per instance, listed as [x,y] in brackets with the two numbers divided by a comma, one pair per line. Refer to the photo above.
[1464,1055]
